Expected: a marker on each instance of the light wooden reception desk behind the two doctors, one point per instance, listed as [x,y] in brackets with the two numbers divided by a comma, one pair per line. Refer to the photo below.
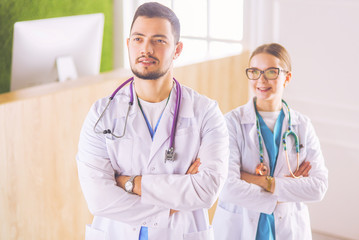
[40,195]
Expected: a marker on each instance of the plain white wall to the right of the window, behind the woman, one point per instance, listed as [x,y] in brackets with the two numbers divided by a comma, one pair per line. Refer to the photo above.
[322,37]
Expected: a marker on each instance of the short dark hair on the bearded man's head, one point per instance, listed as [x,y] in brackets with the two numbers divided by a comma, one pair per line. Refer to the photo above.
[153,10]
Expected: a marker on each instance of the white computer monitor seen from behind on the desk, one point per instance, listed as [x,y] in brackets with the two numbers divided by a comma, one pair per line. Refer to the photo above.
[56,49]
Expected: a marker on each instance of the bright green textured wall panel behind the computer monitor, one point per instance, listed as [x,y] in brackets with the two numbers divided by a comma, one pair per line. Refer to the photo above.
[12,11]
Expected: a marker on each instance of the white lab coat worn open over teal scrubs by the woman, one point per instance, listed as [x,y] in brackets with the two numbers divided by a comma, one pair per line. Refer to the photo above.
[241,203]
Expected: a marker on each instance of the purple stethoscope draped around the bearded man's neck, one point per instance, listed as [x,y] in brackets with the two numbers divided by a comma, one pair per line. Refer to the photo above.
[169,153]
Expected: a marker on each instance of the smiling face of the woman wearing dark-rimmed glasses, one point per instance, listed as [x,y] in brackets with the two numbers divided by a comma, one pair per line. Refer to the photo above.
[268,90]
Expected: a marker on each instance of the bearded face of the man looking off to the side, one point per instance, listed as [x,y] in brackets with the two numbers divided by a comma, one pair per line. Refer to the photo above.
[151,47]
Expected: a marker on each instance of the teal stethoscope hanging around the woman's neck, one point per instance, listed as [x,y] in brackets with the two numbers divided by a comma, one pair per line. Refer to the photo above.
[262,169]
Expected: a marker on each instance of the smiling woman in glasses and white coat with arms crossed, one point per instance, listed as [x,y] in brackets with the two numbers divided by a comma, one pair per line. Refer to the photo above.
[268,180]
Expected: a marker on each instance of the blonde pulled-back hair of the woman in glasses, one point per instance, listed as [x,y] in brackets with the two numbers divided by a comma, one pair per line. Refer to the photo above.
[277,51]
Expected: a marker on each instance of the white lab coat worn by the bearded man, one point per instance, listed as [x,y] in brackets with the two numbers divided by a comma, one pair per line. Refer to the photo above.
[201,133]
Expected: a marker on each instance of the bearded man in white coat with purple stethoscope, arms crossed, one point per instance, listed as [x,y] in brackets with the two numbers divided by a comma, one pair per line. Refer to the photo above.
[130,188]
